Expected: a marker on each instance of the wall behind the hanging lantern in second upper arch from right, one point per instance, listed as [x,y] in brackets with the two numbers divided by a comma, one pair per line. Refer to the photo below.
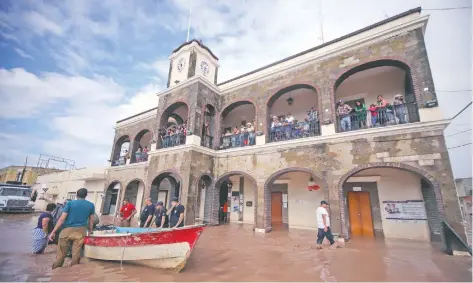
[304,99]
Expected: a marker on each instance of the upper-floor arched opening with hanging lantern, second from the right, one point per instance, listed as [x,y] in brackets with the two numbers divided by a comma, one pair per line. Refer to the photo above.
[293,113]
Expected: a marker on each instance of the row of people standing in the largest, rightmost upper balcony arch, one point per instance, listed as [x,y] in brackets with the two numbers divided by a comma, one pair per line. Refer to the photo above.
[381,113]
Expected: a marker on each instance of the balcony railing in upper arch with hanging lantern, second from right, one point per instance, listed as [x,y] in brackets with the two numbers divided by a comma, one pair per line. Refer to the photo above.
[294,131]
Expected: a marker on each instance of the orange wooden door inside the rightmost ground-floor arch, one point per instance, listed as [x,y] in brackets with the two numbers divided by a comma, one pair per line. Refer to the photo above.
[359,209]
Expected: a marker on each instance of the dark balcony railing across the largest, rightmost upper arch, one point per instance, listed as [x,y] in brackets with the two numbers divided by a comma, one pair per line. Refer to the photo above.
[390,115]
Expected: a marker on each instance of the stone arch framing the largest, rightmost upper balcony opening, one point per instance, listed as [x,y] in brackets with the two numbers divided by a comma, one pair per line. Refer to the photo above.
[373,63]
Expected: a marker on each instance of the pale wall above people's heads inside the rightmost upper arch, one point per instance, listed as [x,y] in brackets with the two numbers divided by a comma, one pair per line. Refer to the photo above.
[386,81]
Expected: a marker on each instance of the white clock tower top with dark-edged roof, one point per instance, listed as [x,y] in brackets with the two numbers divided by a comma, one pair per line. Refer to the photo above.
[191,59]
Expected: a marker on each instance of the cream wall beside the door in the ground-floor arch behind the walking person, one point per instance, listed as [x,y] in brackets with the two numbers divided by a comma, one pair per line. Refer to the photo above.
[302,203]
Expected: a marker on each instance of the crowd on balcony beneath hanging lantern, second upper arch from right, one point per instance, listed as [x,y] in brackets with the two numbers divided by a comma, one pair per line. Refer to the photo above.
[287,127]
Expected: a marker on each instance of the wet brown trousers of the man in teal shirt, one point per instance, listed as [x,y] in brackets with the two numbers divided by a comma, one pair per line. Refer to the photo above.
[76,236]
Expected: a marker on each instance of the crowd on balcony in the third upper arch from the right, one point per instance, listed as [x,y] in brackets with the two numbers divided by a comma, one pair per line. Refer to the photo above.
[244,135]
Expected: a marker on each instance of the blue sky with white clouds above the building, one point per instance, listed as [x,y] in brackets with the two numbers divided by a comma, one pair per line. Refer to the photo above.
[70,69]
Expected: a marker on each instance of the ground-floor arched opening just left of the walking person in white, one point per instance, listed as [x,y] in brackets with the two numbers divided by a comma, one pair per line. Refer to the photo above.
[292,197]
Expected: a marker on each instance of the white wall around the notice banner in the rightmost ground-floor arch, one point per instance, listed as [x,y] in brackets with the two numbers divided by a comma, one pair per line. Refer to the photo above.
[399,185]
